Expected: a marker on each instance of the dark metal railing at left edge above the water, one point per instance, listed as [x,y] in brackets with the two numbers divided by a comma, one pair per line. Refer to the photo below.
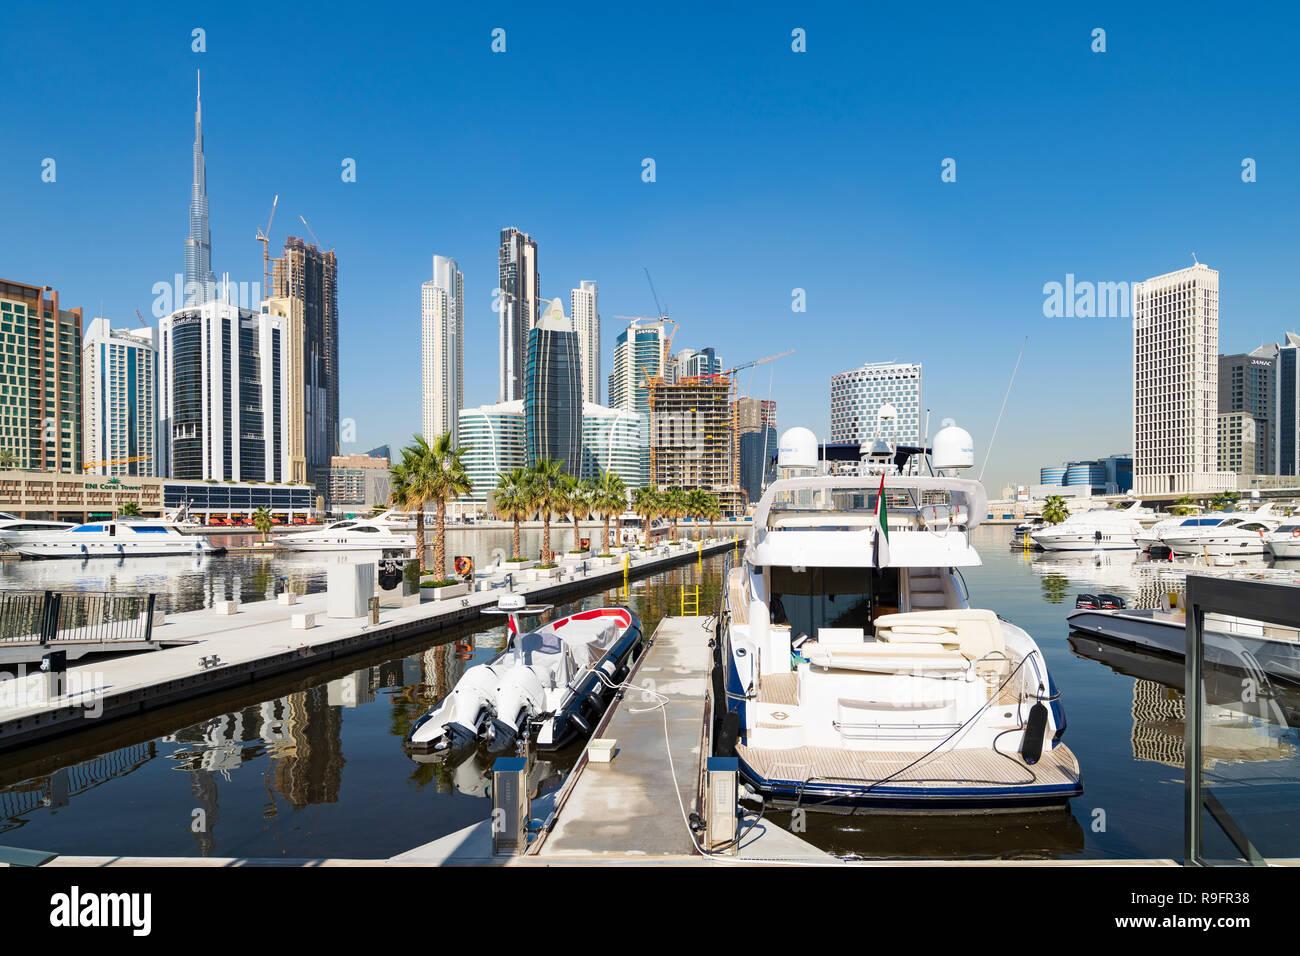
[85,617]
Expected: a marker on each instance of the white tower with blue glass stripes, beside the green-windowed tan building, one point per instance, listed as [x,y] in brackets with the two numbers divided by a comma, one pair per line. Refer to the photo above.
[120,400]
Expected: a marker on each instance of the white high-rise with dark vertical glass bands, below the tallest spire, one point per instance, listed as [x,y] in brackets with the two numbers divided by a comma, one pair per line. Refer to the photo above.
[226,377]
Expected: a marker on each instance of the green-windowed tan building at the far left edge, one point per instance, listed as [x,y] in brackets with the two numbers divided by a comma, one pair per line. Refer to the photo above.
[41,405]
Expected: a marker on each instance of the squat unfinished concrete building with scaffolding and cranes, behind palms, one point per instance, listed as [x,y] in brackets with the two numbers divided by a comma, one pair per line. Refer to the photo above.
[694,438]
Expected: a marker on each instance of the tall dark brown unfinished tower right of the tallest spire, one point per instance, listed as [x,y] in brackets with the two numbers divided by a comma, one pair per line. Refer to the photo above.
[310,276]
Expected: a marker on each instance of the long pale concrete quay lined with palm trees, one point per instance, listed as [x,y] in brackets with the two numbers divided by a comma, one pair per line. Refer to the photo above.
[218,652]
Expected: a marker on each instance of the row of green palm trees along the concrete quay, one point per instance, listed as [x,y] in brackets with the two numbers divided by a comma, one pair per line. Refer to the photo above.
[435,473]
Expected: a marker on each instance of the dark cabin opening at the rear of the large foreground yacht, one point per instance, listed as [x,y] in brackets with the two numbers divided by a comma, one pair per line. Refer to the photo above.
[812,599]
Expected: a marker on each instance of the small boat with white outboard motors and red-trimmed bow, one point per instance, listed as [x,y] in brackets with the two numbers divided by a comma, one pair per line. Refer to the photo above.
[552,685]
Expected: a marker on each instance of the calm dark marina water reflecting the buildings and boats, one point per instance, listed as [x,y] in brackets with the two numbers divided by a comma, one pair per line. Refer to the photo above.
[313,765]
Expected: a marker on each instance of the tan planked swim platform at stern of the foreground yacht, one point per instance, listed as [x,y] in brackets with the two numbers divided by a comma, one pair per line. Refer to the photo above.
[973,771]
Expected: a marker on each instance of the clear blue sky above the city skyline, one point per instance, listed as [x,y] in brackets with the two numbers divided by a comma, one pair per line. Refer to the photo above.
[775,171]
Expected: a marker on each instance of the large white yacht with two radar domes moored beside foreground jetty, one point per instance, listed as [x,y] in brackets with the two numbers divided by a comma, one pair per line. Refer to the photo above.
[855,668]
